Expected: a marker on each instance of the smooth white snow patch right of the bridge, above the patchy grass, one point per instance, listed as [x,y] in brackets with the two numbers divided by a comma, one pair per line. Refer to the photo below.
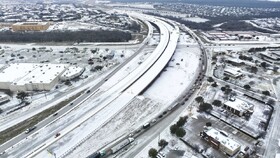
[178,74]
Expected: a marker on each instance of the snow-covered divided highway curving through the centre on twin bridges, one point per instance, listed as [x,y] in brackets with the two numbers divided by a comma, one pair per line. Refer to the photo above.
[126,89]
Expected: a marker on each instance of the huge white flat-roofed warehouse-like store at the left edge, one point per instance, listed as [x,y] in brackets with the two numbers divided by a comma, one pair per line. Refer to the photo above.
[30,76]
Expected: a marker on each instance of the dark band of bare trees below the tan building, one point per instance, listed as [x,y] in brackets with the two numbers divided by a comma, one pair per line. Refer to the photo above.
[67,36]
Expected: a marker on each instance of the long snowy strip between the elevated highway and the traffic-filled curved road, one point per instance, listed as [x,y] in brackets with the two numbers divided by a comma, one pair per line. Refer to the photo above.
[146,107]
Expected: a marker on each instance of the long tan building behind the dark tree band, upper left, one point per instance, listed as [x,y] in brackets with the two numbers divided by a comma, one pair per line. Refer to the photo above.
[30,26]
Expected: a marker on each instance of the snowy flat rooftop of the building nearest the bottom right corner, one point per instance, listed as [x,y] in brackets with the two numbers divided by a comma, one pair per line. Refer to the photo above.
[226,141]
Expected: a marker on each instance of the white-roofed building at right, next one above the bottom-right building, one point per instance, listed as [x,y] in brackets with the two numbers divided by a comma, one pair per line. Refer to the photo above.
[239,107]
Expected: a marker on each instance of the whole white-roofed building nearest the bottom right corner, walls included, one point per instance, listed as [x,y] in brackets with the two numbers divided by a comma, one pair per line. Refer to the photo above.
[220,140]
